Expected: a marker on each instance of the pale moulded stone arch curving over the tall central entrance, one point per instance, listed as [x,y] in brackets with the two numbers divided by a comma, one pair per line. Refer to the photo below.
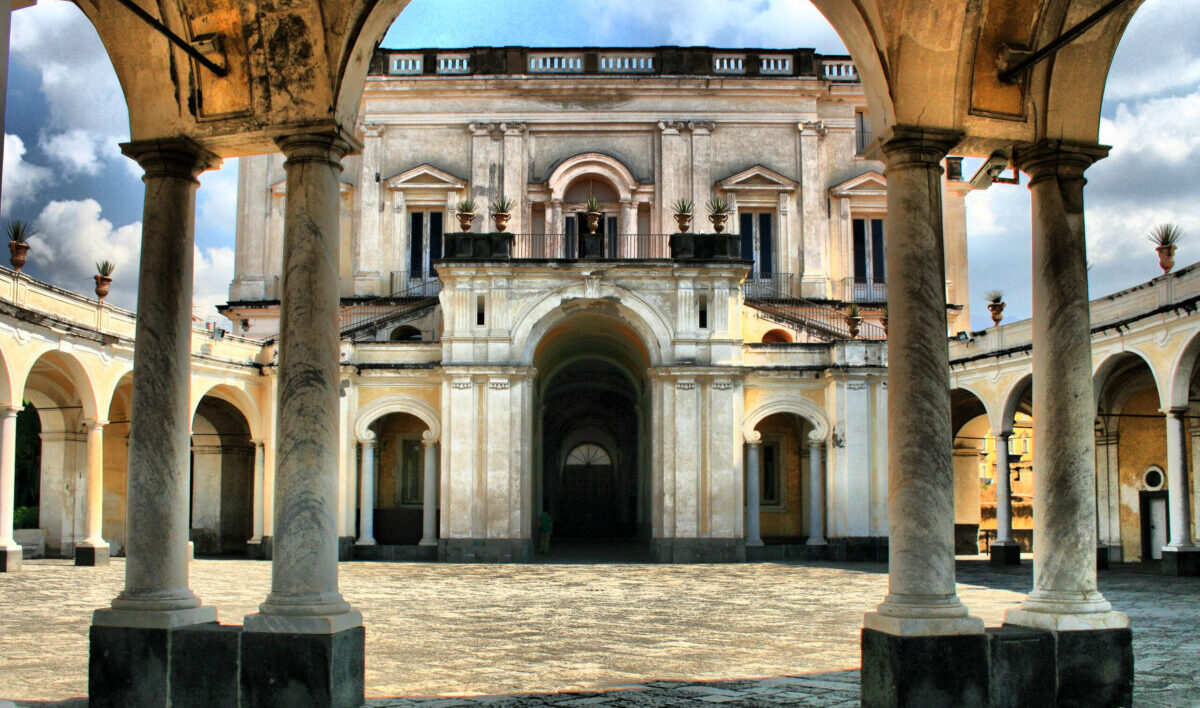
[653,328]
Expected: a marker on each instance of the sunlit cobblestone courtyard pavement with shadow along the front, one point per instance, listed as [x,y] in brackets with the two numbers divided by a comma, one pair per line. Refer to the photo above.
[764,634]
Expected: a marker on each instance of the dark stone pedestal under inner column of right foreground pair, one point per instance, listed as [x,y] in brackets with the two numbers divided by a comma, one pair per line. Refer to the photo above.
[931,673]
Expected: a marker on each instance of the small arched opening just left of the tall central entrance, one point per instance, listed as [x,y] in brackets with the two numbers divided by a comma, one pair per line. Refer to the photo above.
[399,478]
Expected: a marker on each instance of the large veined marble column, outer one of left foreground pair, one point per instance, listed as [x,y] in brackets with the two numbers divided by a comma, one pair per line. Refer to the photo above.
[157,593]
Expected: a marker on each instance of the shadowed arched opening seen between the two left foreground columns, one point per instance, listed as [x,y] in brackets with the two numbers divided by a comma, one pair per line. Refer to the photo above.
[223,479]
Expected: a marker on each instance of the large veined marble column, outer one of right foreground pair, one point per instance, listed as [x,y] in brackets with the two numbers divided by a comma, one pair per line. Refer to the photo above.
[1065,593]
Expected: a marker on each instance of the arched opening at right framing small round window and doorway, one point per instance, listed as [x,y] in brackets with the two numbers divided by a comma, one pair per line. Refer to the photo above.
[1131,439]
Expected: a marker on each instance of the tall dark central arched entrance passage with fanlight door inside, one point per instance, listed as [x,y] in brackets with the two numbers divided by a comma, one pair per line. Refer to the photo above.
[591,437]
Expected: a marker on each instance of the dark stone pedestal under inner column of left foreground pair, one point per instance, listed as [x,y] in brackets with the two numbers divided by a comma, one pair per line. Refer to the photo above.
[302,671]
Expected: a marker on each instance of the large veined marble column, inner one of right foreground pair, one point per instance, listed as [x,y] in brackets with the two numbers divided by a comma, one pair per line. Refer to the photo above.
[922,598]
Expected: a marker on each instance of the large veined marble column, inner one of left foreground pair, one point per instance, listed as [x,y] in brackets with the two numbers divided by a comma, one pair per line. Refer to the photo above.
[304,597]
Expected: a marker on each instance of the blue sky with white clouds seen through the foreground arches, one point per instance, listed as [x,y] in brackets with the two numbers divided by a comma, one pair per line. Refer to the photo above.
[65,116]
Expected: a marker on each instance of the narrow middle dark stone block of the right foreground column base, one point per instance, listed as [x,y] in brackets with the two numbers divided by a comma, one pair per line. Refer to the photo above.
[1021,668]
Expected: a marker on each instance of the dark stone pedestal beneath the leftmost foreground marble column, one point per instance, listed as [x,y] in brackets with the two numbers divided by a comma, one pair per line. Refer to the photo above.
[185,668]
